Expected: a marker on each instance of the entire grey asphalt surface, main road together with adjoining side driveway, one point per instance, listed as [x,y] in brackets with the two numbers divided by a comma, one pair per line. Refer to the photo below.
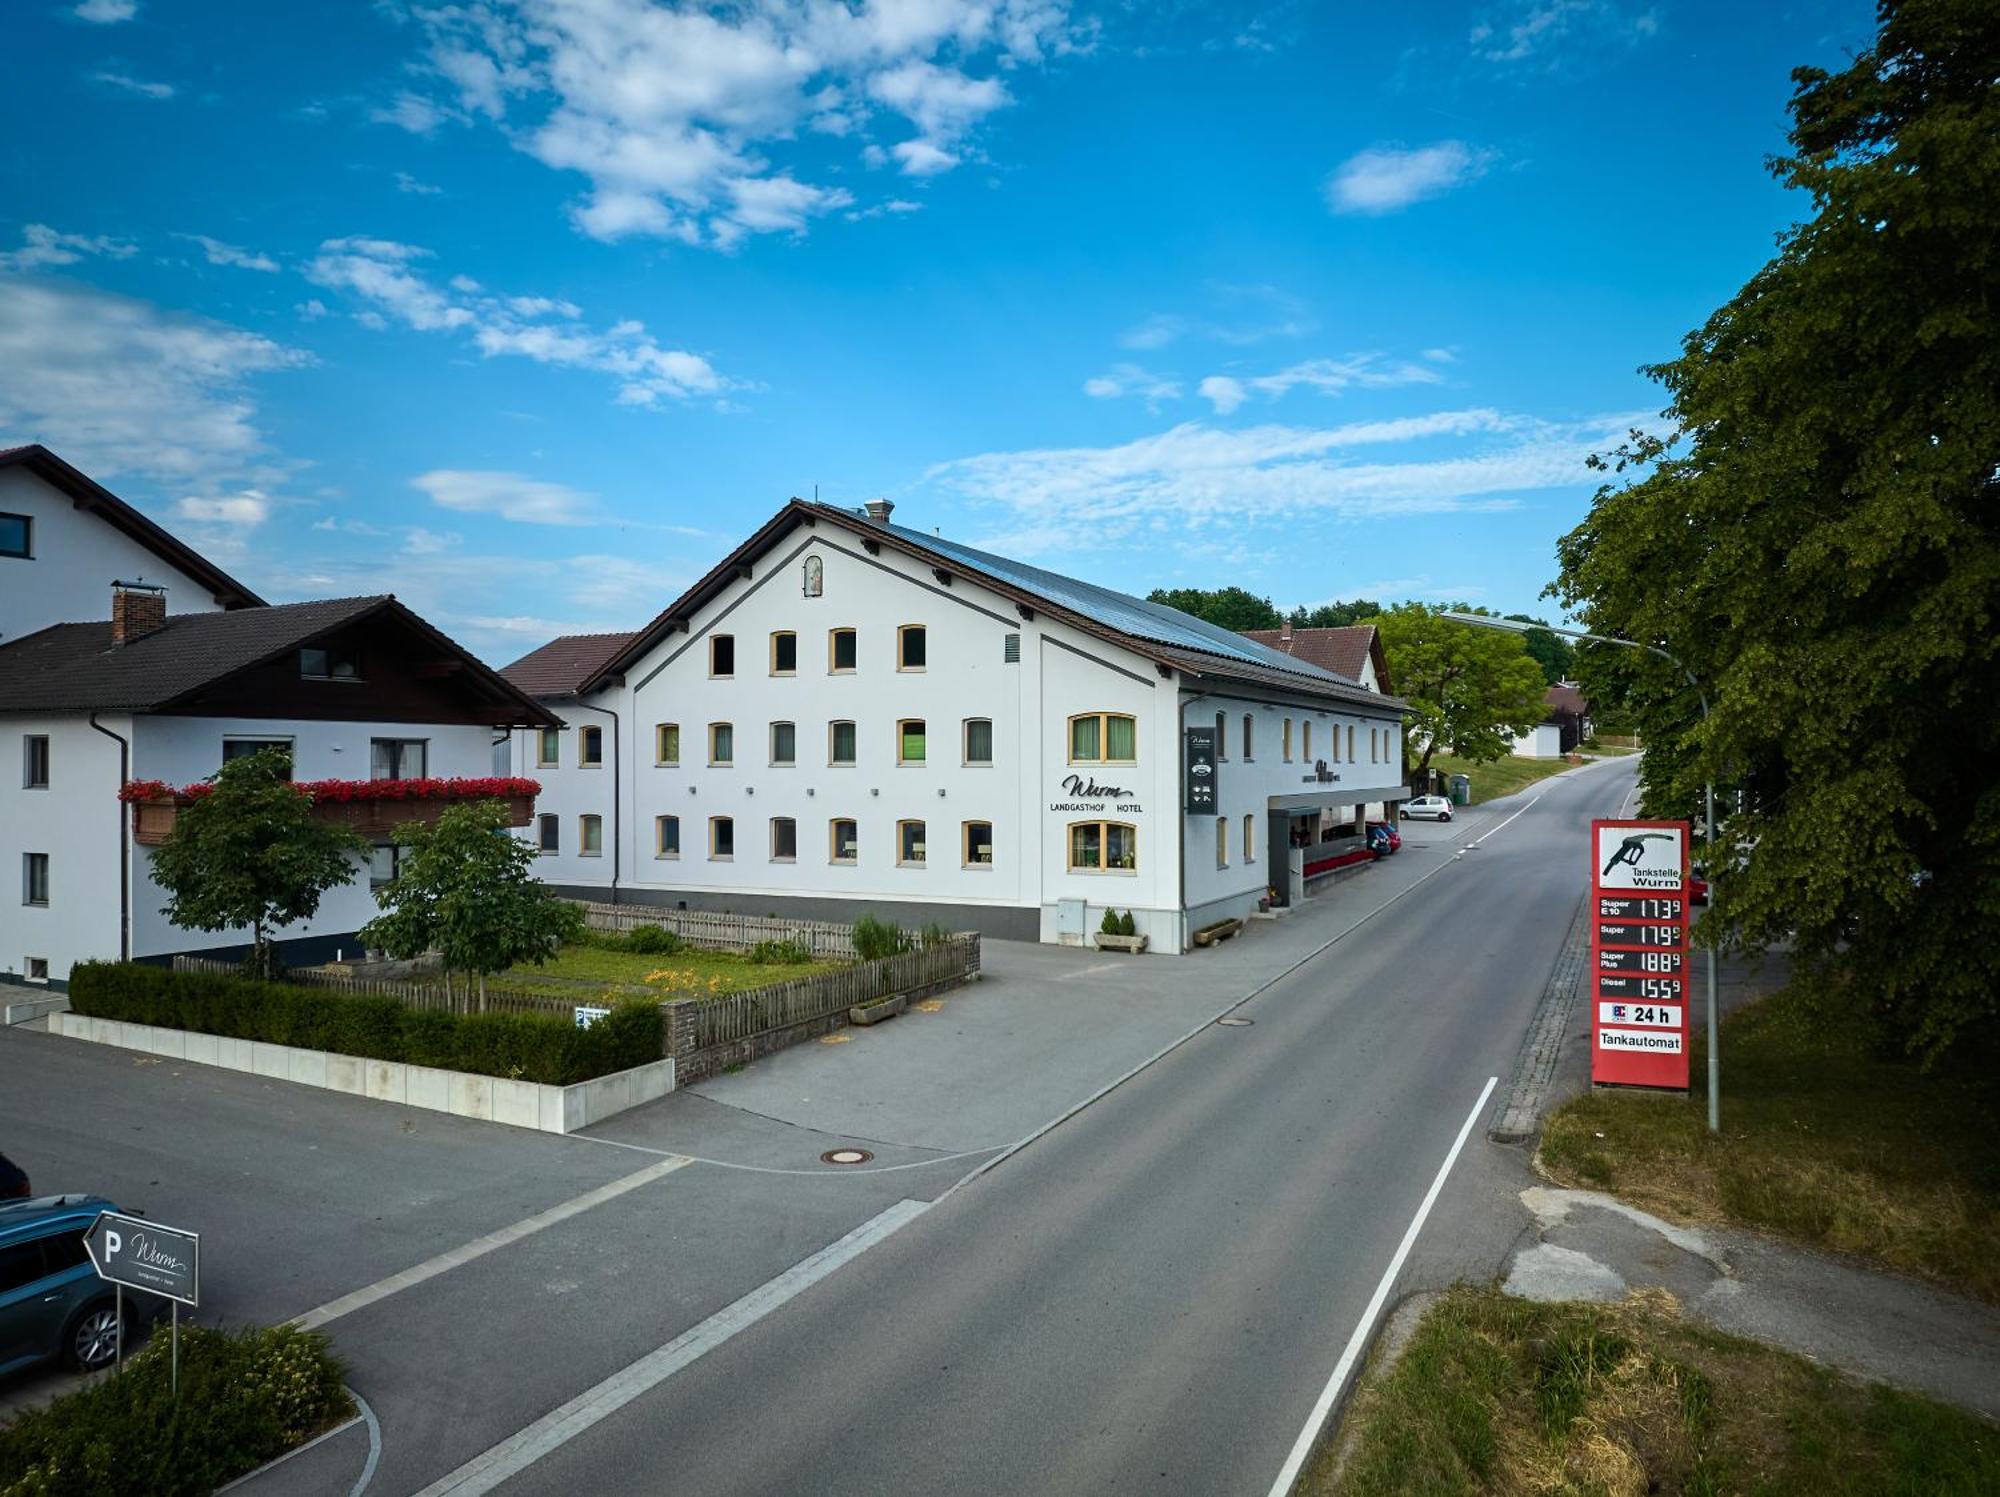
[1149,1296]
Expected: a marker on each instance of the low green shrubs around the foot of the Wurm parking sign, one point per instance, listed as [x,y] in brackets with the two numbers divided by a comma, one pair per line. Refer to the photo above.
[245,1398]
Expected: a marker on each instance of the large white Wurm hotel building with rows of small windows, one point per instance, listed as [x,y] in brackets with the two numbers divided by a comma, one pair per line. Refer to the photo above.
[853,715]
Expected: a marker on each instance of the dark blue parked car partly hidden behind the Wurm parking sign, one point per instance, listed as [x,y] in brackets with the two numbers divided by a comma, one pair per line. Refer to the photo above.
[53,1304]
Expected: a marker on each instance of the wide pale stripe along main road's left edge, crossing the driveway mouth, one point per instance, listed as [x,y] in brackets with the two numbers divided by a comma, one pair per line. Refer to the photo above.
[561,1426]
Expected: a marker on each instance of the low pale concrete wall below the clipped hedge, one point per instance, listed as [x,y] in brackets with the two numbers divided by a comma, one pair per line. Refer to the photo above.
[461,1094]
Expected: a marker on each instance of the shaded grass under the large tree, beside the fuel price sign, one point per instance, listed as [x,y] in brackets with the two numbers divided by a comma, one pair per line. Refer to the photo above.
[1823,1140]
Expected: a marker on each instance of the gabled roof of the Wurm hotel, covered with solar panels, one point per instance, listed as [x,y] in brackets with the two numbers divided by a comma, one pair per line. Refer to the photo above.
[1175,641]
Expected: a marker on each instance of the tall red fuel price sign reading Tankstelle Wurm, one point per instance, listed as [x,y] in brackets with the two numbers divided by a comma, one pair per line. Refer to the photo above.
[1639,954]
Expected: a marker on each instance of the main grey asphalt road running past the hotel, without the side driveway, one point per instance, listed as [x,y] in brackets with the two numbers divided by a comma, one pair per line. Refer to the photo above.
[1153,1296]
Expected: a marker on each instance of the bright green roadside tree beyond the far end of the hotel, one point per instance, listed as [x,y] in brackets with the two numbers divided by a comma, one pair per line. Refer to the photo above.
[1471,689]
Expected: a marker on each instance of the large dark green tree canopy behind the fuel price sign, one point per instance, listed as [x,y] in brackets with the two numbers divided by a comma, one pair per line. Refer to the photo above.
[1817,539]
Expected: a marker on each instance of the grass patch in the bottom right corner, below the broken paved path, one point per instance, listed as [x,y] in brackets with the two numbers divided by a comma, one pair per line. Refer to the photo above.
[1505,1396]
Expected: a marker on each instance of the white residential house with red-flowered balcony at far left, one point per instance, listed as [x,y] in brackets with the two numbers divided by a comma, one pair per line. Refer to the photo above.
[353,689]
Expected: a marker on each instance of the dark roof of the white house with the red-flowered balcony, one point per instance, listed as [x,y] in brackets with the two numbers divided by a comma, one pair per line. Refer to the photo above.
[79,669]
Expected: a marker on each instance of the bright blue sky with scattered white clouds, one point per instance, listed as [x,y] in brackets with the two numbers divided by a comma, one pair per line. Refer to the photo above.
[529,311]
